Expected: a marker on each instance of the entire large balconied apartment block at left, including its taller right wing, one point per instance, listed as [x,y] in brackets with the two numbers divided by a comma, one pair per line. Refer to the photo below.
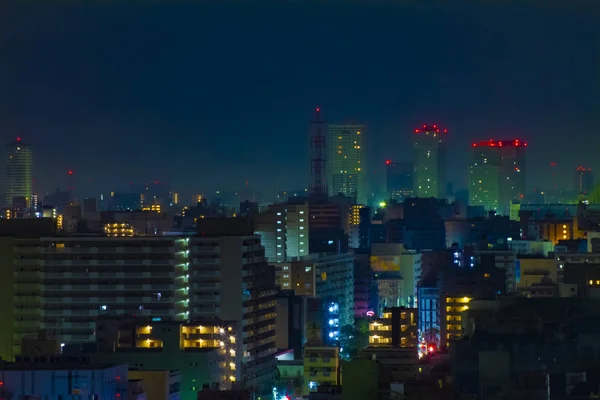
[62,284]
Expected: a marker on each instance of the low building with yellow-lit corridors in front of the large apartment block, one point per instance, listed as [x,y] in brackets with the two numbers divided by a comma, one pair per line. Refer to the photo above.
[204,351]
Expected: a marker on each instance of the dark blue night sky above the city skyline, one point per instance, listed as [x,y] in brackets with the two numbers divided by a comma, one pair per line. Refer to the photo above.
[209,96]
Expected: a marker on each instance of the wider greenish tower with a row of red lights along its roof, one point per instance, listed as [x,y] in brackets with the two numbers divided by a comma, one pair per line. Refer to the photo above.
[497,174]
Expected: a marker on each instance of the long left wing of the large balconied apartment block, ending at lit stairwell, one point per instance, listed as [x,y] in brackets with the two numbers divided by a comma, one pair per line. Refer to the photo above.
[63,284]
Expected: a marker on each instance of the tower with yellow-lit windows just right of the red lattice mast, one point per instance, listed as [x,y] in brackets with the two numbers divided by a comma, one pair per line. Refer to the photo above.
[346,162]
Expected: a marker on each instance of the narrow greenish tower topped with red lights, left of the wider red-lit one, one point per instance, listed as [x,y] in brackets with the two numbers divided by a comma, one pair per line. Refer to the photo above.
[429,162]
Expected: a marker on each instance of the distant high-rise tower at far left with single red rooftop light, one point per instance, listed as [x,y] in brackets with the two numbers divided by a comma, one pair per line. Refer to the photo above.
[18,178]
